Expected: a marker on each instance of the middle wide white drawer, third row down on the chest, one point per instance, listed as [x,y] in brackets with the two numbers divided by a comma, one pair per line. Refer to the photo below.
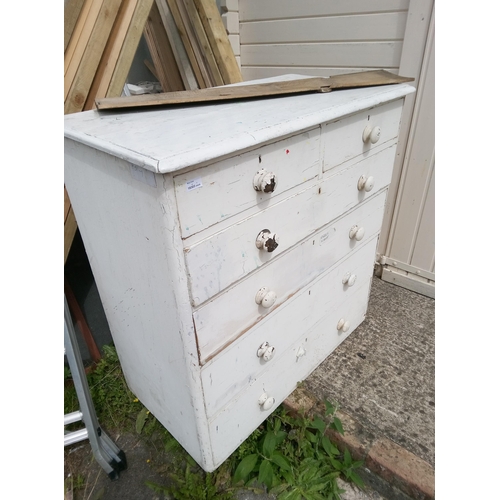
[223,319]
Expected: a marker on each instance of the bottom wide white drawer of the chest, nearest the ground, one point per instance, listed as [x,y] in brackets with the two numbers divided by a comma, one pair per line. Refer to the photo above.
[237,420]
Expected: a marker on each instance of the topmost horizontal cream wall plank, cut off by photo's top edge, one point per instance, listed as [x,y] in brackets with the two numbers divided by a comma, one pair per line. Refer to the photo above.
[254,10]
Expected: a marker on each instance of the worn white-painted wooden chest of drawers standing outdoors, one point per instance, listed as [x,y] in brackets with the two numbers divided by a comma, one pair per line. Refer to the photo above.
[173,204]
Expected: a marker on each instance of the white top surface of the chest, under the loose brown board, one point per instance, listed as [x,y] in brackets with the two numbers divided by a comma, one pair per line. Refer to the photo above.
[168,139]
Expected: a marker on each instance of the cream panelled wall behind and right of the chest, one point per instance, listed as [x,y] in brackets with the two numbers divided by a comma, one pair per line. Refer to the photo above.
[323,38]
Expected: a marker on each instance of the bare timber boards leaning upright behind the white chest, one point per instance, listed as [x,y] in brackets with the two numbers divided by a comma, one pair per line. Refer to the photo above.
[187,41]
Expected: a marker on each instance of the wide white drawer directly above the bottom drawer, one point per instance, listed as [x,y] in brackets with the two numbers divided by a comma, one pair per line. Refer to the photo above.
[282,328]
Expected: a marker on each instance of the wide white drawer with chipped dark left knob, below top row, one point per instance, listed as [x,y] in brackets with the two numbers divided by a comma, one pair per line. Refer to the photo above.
[229,255]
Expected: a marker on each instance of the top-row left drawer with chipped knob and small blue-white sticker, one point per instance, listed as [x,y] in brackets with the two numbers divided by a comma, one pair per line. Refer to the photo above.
[216,192]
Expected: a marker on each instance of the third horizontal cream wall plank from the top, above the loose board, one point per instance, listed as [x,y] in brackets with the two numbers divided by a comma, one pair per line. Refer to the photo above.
[374,55]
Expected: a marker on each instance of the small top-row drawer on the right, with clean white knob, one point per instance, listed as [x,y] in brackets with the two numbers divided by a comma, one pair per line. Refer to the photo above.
[361,134]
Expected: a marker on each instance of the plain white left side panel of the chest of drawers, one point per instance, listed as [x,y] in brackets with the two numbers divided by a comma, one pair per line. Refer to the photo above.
[133,254]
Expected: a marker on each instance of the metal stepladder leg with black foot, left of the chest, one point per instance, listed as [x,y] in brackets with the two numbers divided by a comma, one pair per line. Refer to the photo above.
[105,451]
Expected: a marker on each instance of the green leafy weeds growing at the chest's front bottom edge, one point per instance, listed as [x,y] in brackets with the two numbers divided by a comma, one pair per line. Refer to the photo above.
[294,457]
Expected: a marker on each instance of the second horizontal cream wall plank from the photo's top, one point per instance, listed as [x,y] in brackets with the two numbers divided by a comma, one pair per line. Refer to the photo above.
[375,27]
